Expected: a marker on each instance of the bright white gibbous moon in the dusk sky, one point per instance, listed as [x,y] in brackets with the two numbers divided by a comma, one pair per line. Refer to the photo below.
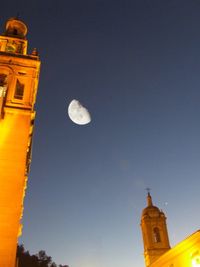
[77,113]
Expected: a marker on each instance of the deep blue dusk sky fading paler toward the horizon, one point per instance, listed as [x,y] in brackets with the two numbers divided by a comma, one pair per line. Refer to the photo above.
[135,65]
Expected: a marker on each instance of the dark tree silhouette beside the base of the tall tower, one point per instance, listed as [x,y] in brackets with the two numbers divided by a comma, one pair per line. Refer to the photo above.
[41,259]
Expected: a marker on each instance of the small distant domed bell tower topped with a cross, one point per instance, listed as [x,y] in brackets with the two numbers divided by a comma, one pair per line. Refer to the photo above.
[154,232]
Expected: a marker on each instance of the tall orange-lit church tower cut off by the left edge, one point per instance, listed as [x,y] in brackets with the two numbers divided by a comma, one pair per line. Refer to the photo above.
[19,74]
